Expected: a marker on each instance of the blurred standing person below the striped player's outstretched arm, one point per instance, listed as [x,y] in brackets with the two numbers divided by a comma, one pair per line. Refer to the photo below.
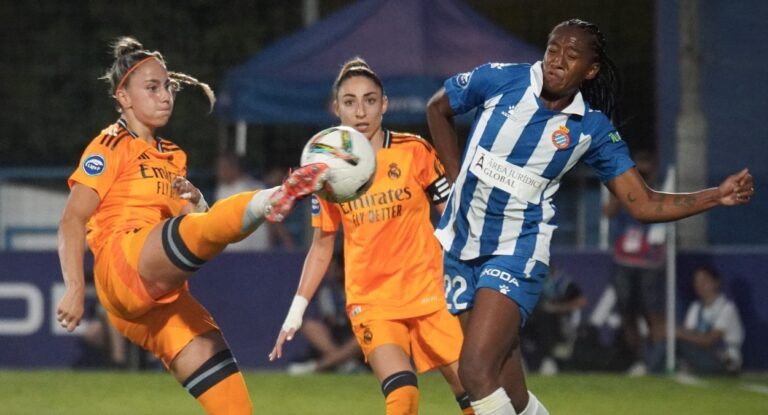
[638,277]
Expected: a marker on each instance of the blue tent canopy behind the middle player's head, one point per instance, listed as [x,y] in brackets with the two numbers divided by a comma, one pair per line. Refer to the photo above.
[412,45]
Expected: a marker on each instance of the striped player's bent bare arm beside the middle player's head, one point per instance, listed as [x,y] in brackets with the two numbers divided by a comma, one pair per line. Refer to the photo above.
[443,132]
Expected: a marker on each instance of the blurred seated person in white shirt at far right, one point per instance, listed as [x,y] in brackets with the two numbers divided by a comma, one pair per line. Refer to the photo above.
[712,334]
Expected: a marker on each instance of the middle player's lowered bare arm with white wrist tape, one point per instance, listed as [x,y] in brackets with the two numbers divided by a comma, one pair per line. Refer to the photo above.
[315,266]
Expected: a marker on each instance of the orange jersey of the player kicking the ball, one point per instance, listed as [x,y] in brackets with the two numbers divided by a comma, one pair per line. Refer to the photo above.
[133,180]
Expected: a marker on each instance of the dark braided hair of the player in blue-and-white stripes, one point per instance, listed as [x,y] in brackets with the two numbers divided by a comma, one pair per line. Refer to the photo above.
[603,91]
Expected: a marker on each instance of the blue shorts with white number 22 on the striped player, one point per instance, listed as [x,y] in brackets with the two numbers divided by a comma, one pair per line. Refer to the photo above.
[519,278]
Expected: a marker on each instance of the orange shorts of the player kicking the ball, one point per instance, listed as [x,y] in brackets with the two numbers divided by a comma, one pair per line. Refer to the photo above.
[163,326]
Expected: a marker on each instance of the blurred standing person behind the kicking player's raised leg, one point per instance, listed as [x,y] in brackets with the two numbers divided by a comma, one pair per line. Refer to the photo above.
[231,178]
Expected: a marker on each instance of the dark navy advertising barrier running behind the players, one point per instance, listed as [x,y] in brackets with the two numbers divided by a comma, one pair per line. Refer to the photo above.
[248,294]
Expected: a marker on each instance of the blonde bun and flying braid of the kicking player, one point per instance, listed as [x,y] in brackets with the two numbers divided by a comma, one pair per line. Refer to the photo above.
[128,53]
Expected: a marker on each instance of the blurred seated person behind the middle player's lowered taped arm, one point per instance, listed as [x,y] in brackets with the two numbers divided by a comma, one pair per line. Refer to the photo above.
[326,328]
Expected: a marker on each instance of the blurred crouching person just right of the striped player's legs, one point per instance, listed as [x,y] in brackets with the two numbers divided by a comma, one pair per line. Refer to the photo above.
[550,333]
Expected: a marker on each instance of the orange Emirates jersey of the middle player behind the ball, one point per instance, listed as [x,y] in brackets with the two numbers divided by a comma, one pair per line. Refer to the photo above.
[393,263]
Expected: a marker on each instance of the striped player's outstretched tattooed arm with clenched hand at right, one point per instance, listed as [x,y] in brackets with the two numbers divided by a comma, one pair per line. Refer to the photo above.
[648,205]
